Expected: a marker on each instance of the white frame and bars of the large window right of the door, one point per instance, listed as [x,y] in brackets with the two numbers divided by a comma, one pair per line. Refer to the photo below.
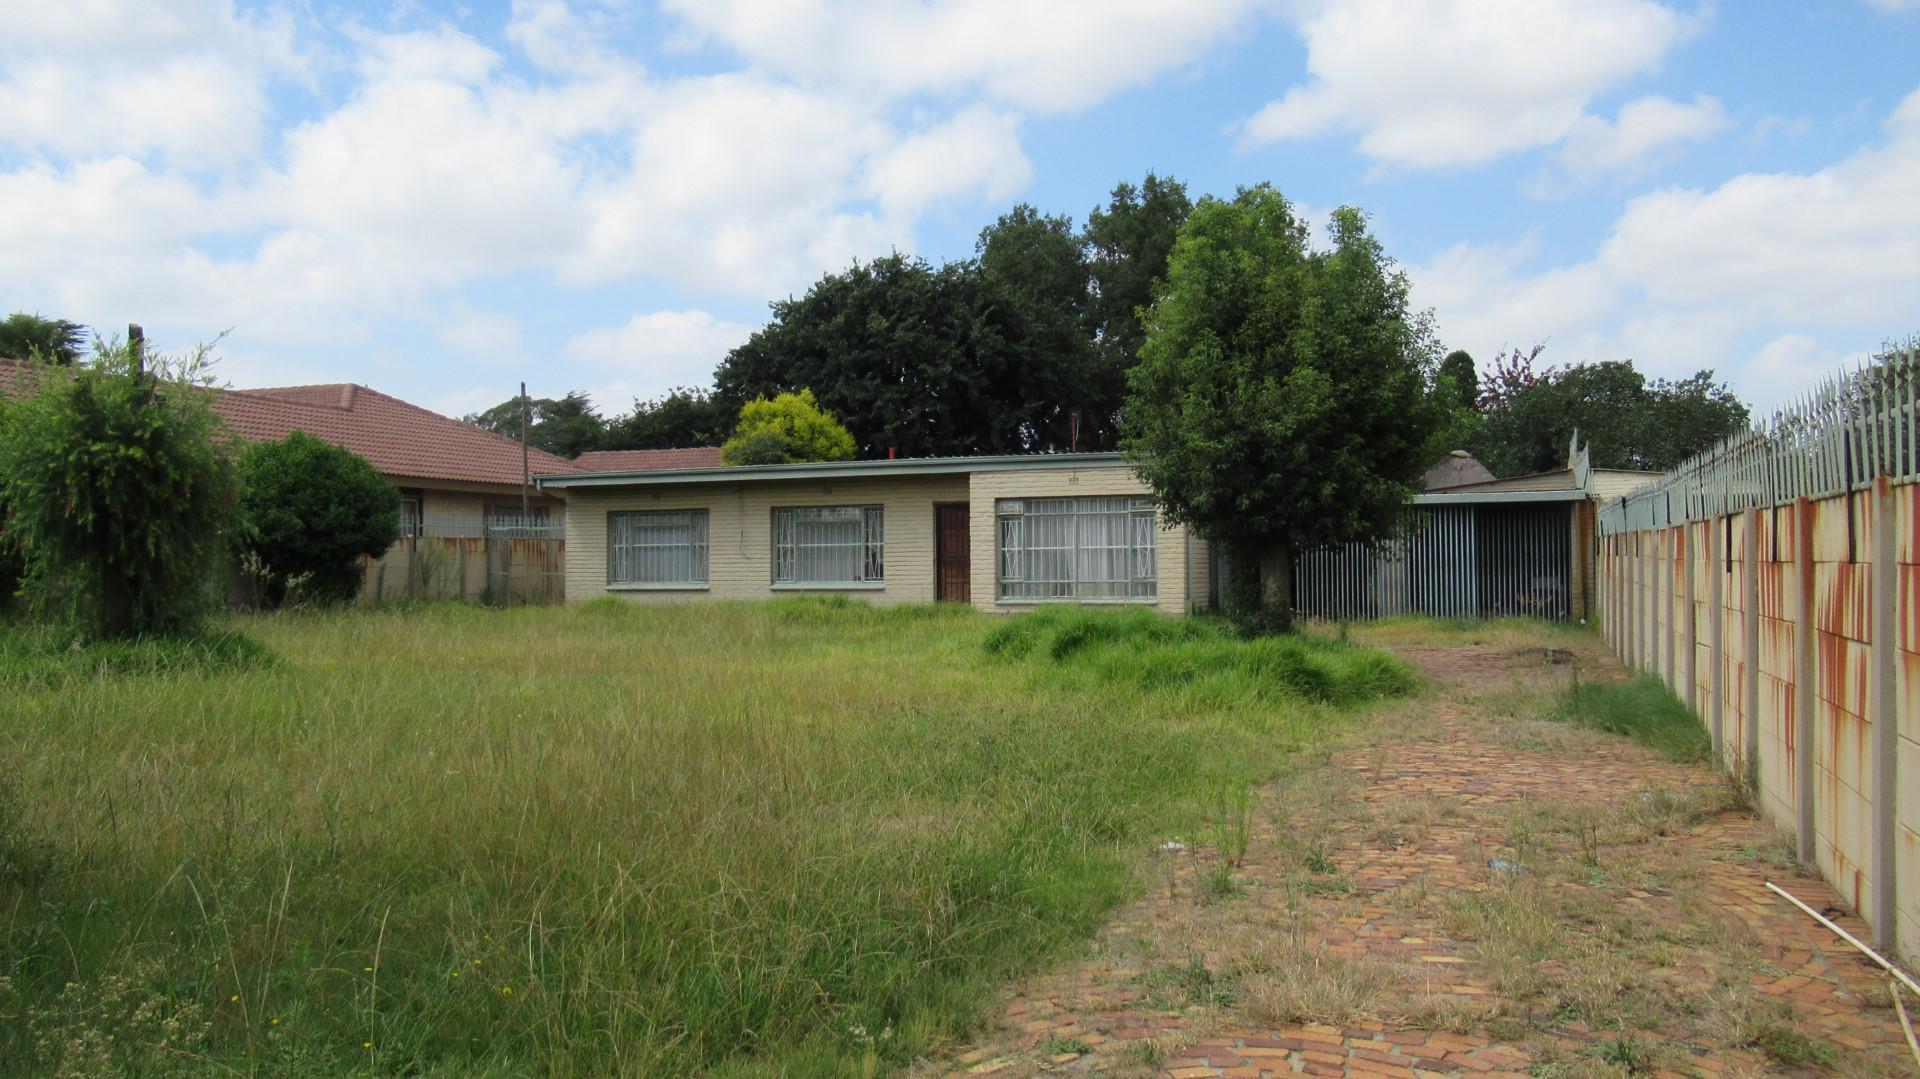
[1011,516]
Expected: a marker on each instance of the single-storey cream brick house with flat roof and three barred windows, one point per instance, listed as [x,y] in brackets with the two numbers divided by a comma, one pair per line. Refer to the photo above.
[997,533]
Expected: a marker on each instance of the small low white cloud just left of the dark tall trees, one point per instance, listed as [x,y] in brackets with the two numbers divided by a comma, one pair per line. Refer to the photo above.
[660,350]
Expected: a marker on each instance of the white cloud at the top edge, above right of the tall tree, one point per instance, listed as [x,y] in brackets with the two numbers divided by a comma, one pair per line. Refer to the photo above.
[1437,84]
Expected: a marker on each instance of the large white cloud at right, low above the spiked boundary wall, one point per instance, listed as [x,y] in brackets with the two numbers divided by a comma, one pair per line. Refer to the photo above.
[1748,277]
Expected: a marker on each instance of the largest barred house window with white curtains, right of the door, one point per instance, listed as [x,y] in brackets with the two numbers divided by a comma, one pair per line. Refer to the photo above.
[1086,548]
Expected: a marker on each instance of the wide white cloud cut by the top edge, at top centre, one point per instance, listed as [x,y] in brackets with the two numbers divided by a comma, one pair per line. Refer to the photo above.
[1057,57]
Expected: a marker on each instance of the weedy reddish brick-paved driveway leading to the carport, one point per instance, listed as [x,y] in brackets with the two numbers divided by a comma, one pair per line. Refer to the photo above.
[1466,888]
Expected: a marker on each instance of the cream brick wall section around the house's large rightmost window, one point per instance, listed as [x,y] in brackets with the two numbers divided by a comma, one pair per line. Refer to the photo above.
[1180,588]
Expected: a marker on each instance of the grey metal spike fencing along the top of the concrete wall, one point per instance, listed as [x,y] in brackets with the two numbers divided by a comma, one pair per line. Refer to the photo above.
[1831,443]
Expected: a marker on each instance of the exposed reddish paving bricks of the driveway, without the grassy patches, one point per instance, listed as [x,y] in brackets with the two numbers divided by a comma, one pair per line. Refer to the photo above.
[1483,771]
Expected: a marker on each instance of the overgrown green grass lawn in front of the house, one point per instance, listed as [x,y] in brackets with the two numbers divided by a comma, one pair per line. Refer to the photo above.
[794,838]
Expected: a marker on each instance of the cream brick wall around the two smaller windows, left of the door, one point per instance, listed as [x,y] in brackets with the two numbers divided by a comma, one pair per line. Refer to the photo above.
[740,535]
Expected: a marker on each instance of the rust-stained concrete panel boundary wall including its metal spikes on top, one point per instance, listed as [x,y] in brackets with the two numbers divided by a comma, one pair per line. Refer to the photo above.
[1775,585]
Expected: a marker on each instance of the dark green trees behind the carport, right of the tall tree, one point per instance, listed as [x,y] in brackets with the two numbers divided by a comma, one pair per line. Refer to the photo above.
[1531,416]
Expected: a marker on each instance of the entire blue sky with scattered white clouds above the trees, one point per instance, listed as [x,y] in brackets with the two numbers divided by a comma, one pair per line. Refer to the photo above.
[444,201]
